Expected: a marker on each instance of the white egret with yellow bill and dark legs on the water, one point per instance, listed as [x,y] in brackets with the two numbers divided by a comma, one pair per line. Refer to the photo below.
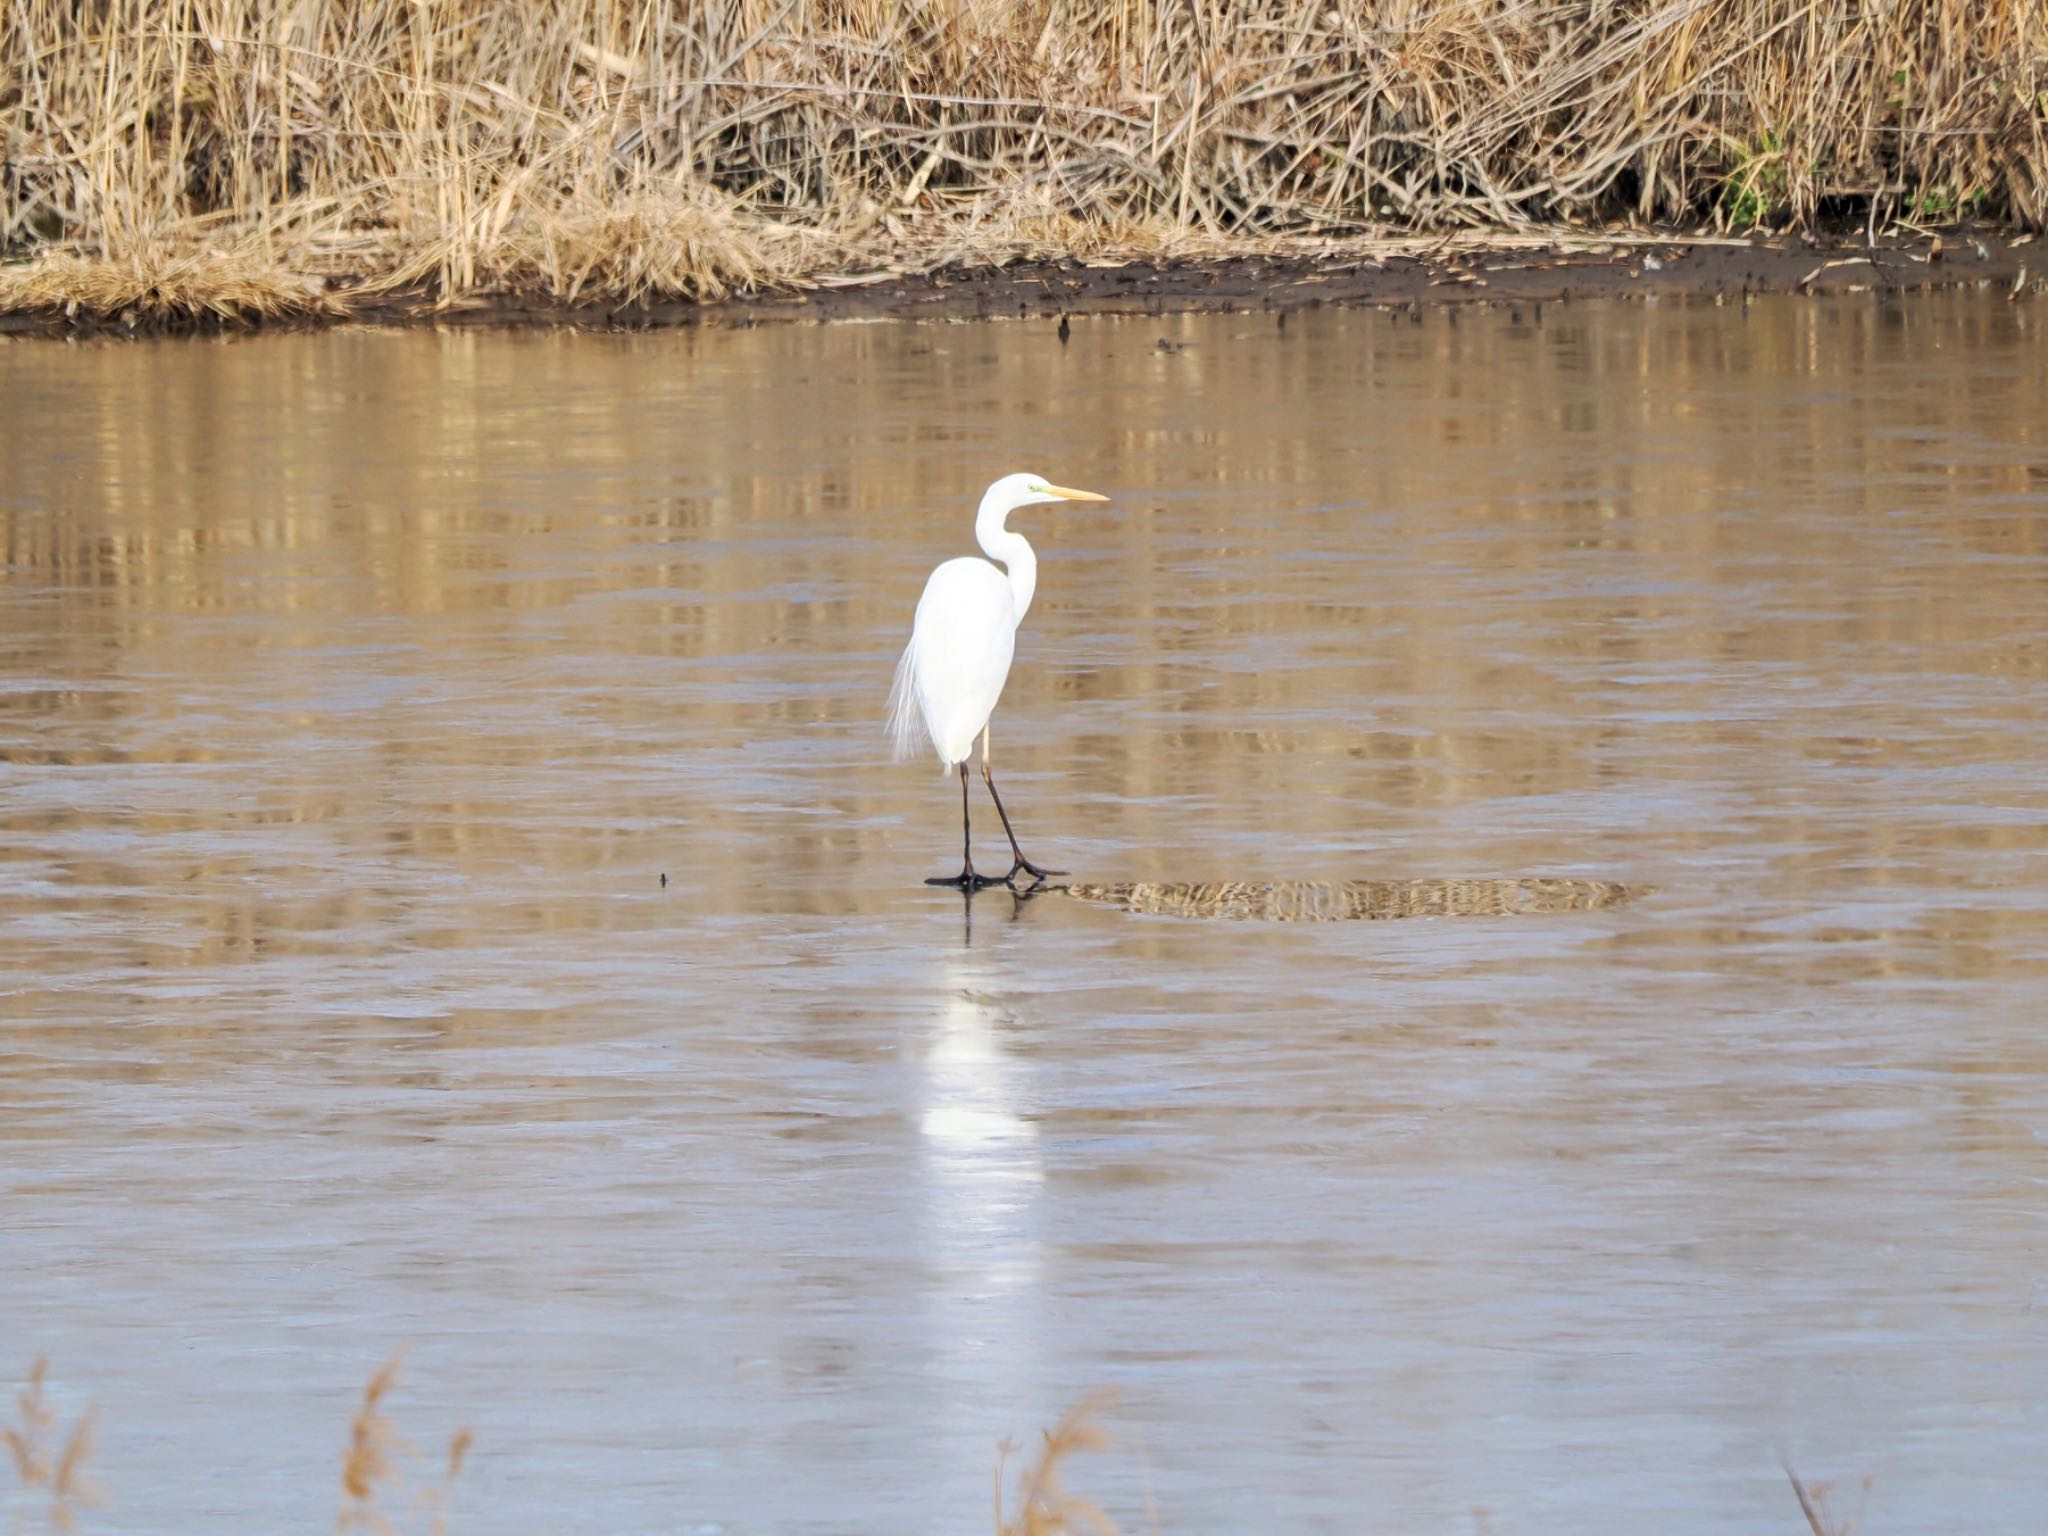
[959,654]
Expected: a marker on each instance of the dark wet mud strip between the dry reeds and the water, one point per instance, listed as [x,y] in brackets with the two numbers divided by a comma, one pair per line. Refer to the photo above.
[1621,267]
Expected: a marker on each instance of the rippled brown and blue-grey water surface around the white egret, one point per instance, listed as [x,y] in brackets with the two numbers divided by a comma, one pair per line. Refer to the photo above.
[357,691]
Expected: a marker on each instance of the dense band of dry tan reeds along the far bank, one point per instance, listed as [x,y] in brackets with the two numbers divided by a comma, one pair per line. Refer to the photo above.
[245,159]
